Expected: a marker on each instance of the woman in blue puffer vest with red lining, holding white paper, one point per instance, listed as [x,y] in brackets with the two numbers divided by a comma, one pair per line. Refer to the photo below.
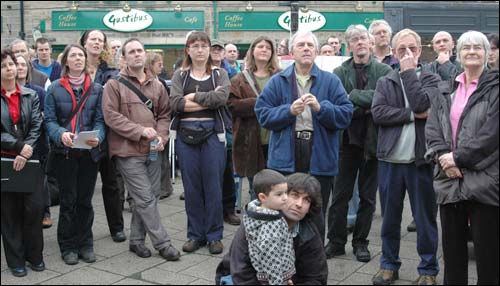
[73,105]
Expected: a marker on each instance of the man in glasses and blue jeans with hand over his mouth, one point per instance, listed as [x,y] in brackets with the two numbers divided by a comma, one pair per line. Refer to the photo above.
[400,106]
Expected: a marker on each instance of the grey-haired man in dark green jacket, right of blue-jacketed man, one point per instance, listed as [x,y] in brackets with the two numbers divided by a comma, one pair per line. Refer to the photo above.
[359,77]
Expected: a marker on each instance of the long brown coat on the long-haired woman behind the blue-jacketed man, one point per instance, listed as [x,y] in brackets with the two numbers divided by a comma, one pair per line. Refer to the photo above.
[248,157]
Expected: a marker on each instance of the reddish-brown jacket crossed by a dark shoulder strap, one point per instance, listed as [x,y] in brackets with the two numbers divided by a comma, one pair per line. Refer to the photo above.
[127,116]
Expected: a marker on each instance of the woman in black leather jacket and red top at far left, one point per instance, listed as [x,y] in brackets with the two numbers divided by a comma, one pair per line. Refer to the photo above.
[21,211]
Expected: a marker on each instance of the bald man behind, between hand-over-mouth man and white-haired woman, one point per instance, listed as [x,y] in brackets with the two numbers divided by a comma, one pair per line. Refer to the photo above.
[445,65]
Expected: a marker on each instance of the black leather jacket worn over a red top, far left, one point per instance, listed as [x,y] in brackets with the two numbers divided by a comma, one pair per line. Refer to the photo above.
[30,122]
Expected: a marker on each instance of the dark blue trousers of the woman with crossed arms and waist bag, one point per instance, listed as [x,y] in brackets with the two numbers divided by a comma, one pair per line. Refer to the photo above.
[202,168]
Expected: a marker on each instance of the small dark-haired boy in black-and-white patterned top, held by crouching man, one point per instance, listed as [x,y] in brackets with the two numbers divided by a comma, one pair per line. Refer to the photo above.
[270,242]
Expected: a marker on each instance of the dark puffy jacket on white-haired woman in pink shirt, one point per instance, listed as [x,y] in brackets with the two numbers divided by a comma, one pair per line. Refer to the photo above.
[476,152]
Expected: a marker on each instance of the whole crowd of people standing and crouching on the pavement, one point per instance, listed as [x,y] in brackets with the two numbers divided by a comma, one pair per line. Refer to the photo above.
[310,142]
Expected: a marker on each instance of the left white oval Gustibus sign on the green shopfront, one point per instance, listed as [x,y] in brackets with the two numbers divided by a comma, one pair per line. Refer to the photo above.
[132,21]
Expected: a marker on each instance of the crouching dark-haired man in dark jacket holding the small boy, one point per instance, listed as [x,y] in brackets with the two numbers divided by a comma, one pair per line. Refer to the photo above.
[304,202]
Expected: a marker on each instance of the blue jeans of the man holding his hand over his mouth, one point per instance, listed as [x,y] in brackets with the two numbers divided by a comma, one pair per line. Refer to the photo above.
[394,180]
